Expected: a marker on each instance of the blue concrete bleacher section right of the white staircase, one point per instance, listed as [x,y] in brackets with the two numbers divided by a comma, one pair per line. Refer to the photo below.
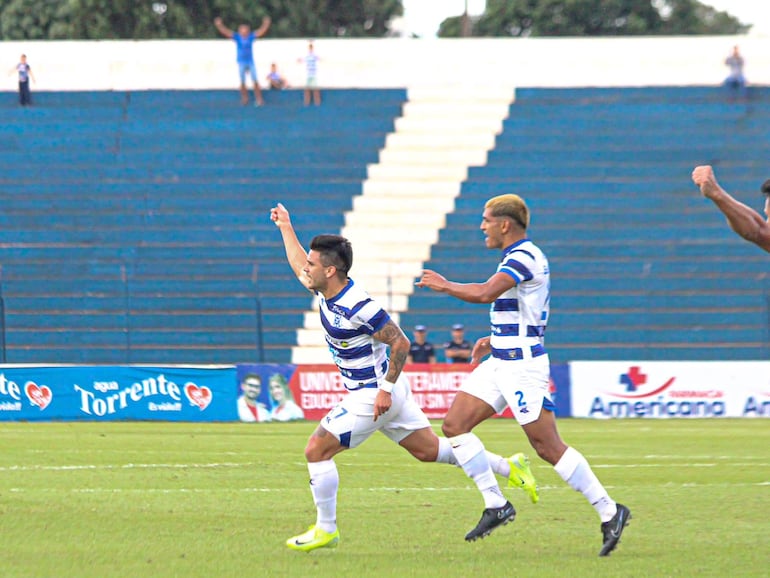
[643,268]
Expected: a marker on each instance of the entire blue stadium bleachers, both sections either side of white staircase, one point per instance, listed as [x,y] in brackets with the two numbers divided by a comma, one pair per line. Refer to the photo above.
[135,224]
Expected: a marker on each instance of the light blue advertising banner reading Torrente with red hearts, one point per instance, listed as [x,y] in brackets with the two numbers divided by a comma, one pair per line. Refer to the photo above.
[177,393]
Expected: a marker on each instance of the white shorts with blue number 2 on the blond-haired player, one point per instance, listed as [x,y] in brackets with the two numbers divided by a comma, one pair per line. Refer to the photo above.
[520,384]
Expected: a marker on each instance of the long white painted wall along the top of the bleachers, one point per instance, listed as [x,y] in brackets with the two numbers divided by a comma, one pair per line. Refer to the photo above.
[173,64]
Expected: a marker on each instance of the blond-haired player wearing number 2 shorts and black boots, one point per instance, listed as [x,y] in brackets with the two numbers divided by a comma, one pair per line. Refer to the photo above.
[517,373]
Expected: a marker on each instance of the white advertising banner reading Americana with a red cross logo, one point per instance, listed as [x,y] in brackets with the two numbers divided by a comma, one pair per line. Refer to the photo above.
[603,389]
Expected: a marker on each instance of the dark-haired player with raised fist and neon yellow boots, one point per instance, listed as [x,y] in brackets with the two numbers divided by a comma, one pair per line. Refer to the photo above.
[359,333]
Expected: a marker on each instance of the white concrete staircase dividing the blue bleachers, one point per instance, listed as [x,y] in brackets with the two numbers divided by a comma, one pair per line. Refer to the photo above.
[443,131]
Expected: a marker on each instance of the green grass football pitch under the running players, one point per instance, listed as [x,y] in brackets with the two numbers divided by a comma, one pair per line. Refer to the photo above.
[219,500]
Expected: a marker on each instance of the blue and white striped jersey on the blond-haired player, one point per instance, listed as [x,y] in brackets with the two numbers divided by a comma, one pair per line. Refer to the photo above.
[519,316]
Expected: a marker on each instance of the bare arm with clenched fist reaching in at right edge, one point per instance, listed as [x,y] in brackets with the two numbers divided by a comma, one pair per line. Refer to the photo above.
[742,219]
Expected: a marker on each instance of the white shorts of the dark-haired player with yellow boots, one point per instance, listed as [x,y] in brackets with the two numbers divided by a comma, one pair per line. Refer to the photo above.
[351,421]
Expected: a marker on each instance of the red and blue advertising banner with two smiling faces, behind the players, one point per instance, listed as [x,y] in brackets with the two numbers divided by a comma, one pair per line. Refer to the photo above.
[283,392]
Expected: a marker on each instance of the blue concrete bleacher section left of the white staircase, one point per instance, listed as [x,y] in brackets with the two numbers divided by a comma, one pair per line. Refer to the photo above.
[135,224]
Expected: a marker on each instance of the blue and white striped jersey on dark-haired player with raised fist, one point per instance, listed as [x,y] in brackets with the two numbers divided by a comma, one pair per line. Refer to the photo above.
[350,319]
